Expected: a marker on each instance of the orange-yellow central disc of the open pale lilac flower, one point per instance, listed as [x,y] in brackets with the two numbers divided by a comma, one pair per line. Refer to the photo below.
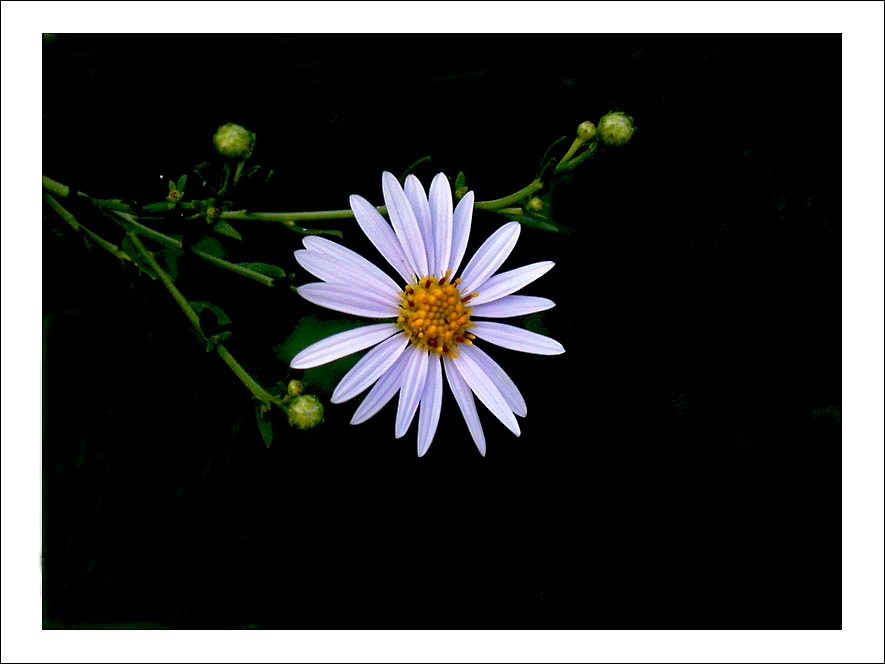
[435,316]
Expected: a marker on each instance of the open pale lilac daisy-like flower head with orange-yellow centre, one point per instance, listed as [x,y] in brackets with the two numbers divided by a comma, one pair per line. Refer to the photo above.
[433,316]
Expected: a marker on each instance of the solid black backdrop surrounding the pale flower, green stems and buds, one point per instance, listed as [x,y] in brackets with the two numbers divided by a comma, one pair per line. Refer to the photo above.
[671,472]
